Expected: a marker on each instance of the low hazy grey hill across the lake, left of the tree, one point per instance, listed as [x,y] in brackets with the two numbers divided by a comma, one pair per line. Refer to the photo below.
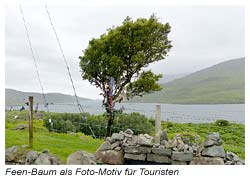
[14,97]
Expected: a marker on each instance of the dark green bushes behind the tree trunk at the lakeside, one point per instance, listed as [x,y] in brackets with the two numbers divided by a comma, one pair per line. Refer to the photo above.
[63,122]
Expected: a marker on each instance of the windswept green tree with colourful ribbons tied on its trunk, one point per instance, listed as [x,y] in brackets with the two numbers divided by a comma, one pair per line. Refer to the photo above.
[122,54]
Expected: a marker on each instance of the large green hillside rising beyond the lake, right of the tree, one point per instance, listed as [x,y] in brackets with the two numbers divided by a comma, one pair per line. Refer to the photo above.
[223,83]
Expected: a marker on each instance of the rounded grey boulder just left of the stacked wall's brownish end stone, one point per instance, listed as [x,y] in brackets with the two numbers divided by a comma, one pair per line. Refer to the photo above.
[81,158]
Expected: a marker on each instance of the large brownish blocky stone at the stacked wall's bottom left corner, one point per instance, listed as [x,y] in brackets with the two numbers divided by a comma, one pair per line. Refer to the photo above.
[110,157]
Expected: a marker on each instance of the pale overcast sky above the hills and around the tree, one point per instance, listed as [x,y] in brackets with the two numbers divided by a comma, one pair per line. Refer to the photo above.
[201,36]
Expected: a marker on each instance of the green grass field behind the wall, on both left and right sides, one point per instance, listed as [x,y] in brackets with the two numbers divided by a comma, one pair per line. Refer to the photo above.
[62,144]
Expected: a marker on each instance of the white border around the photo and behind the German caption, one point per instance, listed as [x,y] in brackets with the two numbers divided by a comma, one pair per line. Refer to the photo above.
[187,172]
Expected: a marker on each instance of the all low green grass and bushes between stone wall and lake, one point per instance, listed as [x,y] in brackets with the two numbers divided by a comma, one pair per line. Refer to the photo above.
[63,143]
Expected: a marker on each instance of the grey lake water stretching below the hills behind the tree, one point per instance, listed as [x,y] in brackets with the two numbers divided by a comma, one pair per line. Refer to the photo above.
[169,112]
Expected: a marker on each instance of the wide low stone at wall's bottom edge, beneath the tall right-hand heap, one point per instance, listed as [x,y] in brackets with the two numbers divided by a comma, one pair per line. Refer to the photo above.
[207,161]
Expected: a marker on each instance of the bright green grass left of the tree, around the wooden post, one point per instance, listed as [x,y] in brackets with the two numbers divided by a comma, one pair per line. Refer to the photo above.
[59,144]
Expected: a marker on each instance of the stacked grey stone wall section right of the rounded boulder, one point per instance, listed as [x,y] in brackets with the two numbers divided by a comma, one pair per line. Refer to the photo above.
[127,148]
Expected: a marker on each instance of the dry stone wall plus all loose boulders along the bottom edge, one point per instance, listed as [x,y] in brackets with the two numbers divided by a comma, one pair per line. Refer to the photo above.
[127,148]
